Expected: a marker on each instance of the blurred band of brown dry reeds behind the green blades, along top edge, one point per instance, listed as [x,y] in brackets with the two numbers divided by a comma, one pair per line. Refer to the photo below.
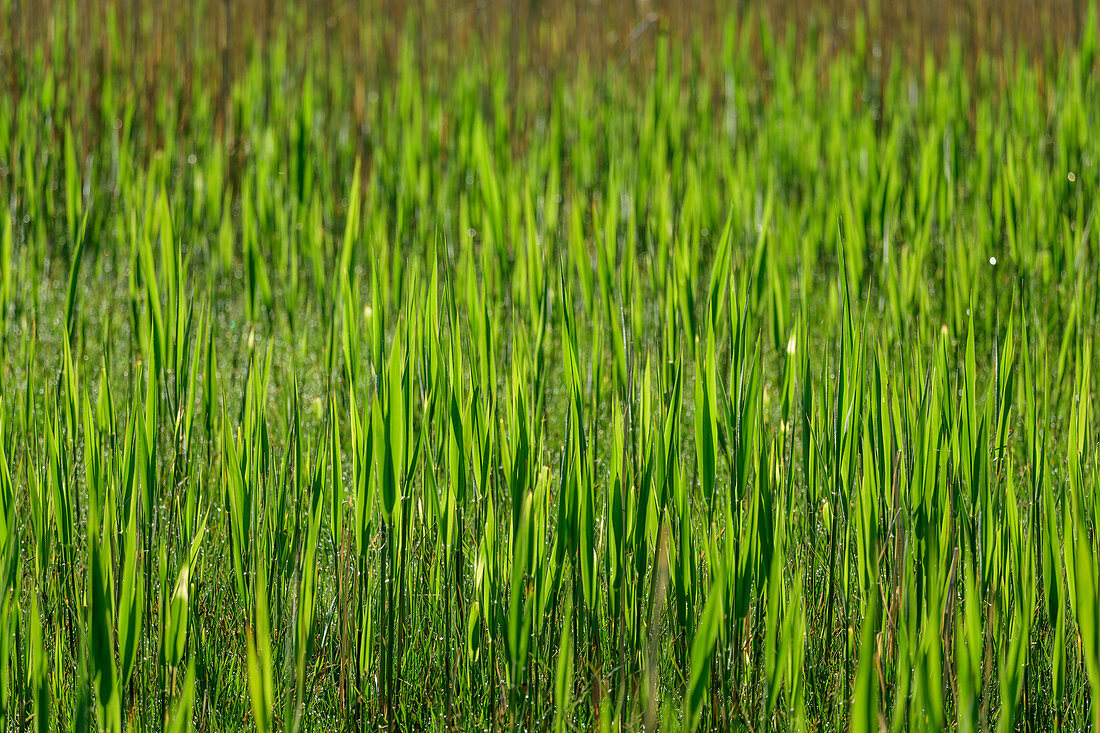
[210,41]
